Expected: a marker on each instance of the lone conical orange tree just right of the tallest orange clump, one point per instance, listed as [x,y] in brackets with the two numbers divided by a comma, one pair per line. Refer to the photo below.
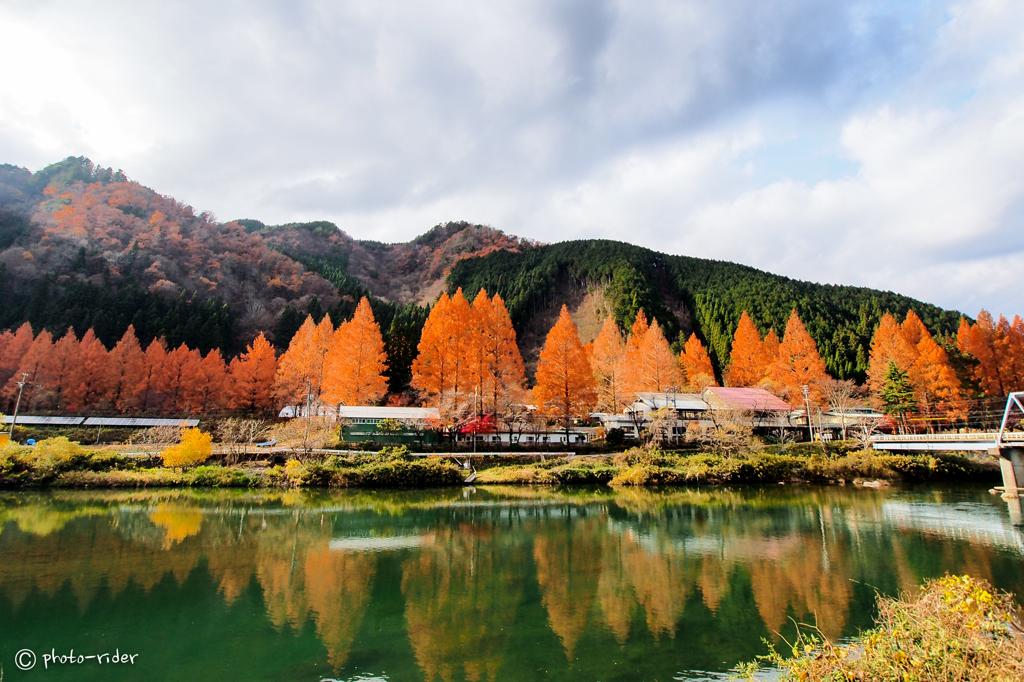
[565,382]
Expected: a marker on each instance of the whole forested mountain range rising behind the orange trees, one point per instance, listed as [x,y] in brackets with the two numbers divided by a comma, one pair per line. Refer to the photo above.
[83,246]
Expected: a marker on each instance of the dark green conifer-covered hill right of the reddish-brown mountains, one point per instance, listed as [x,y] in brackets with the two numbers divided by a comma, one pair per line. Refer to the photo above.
[692,295]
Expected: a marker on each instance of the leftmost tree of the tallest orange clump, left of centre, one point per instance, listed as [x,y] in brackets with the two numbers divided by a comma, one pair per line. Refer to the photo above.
[440,370]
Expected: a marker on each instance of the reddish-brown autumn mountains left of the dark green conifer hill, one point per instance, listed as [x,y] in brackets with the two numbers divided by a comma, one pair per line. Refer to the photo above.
[83,247]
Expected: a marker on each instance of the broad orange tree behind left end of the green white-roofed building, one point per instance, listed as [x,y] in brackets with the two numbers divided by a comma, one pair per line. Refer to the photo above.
[354,369]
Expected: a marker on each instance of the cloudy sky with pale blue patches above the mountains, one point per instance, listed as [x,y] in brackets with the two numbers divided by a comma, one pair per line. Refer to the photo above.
[868,143]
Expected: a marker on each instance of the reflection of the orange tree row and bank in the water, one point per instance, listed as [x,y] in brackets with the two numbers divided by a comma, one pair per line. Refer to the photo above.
[622,568]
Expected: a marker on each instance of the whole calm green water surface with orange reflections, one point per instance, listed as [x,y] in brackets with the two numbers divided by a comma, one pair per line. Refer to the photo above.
[492,584]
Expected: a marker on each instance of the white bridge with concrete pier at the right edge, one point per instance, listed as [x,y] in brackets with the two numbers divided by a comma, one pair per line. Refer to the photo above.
[1007,446]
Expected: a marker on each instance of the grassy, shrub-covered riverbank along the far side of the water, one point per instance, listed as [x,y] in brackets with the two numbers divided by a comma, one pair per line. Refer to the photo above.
[59,463]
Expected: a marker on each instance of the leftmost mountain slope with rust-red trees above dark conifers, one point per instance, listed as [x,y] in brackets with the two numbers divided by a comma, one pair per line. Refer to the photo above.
[84,247]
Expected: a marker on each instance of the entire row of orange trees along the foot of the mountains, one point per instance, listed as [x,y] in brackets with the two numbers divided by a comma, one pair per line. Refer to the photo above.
[468,363]
